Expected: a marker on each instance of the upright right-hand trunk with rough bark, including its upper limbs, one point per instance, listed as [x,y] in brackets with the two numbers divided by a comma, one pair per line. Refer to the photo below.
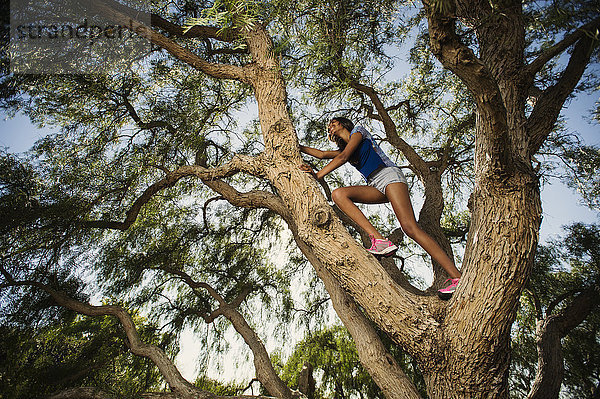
[506,208]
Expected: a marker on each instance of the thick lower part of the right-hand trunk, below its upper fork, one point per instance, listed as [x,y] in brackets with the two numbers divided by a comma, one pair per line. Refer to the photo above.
[498,258]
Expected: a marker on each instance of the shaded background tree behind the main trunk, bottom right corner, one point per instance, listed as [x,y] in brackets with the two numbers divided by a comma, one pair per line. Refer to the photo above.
[560,303]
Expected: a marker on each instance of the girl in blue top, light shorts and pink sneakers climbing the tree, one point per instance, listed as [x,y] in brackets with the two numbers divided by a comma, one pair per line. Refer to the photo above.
[385,183]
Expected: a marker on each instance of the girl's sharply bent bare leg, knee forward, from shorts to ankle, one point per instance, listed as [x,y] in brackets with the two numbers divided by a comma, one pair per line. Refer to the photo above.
[345,198]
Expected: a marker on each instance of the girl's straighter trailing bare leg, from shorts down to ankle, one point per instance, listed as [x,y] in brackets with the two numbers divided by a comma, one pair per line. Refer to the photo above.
[397,194]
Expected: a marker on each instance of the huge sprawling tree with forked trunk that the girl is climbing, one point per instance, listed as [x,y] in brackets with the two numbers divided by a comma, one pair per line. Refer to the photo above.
[135,190]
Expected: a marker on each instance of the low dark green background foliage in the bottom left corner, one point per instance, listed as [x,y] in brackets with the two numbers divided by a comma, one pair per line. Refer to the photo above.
[84,352]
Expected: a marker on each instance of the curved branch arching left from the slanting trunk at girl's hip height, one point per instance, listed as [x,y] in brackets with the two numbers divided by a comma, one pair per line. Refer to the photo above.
[237,164]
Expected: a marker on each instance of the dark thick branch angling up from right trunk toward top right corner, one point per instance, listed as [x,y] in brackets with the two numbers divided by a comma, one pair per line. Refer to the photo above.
[543,117]
